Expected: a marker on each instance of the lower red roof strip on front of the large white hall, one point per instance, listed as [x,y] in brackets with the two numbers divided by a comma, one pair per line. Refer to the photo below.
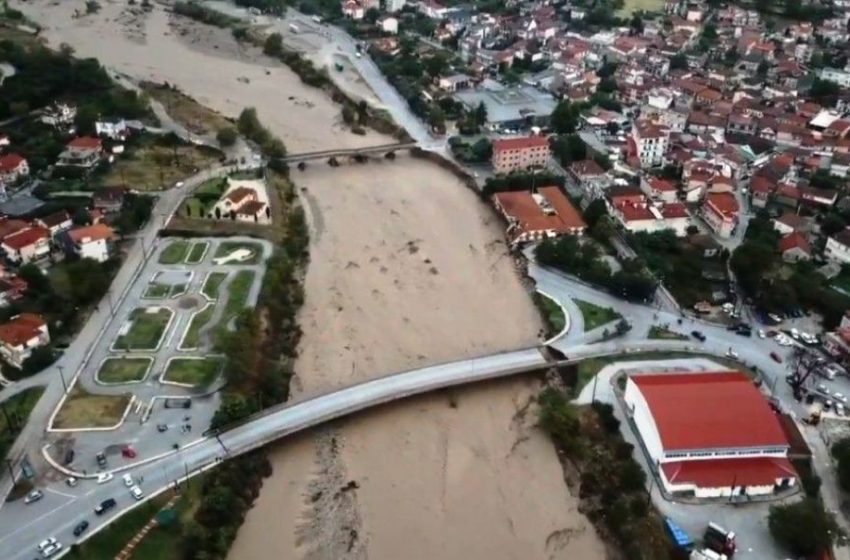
[719,473]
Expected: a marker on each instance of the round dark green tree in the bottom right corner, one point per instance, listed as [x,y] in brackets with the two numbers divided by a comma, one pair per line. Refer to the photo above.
[803,528]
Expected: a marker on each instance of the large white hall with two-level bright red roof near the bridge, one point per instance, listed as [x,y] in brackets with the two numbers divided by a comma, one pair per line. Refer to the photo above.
[710,434]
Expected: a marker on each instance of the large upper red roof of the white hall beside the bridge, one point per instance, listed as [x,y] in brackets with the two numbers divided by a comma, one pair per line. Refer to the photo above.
[707,411]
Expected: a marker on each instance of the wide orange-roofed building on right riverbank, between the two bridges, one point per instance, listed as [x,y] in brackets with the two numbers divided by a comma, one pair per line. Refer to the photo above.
[534,216]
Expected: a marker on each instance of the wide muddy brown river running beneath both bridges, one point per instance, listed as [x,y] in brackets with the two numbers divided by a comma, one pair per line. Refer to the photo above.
[407,269]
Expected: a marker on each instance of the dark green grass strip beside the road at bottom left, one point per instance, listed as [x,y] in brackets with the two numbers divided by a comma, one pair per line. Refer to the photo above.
[108,543]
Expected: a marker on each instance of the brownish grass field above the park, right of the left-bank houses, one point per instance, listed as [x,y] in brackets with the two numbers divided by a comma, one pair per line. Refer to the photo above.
[149,167]
